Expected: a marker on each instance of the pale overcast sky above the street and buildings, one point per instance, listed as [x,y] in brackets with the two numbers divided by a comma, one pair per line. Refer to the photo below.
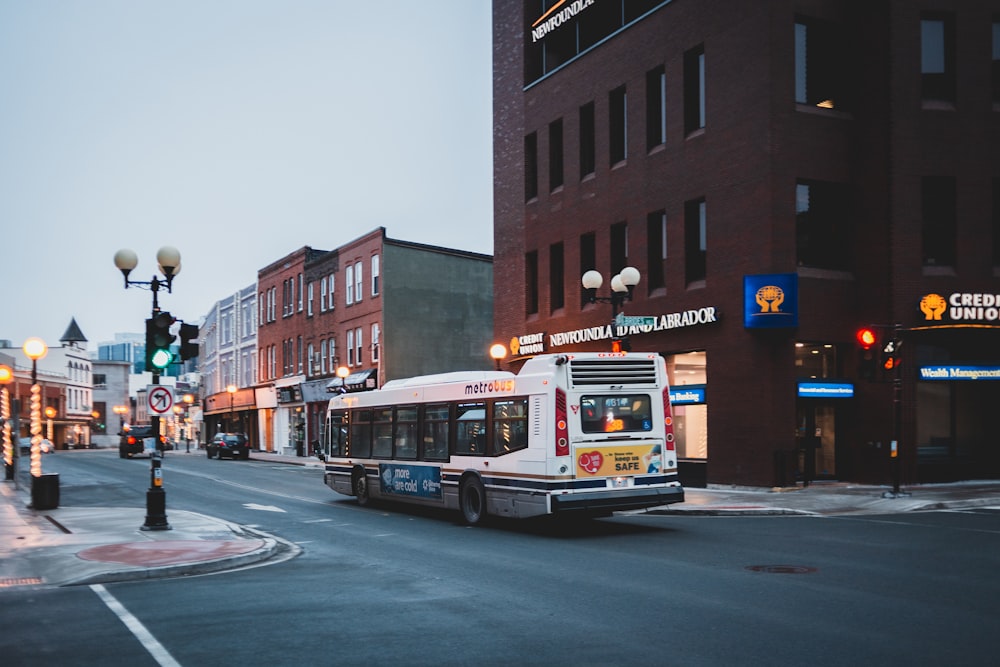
[236,131]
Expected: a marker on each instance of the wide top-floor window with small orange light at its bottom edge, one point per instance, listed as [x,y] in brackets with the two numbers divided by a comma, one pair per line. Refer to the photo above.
[821,72]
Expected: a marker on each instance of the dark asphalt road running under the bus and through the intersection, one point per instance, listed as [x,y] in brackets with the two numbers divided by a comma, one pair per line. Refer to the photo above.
[397,586]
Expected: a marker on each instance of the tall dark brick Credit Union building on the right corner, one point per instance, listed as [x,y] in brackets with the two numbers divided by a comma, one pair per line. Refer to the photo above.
[782,173]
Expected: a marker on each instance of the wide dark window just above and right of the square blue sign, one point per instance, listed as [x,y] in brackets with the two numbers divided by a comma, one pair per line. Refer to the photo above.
[823,214]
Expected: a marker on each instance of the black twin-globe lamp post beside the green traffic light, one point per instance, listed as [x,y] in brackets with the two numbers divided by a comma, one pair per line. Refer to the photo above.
[168,259]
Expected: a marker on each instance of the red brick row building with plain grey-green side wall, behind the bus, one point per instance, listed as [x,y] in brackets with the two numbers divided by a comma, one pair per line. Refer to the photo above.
[376,307]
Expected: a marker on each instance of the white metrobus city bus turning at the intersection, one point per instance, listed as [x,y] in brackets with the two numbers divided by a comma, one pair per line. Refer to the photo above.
[590,433]
